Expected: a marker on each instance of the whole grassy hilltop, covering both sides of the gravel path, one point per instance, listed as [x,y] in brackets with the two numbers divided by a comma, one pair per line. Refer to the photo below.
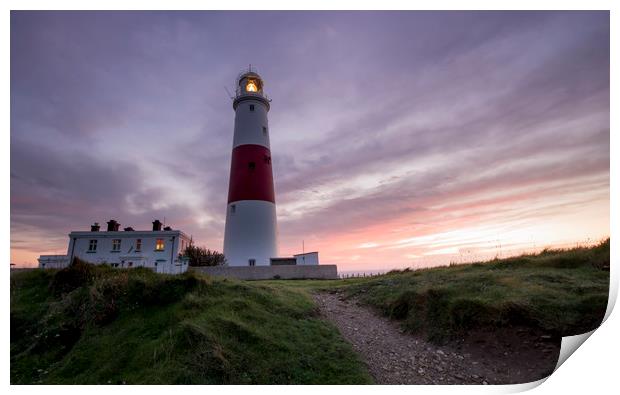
[94,325]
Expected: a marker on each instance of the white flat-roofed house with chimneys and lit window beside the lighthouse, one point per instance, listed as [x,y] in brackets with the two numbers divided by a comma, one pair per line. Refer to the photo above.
[156,249]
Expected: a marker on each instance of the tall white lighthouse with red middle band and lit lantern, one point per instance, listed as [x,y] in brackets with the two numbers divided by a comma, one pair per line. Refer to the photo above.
[250,237]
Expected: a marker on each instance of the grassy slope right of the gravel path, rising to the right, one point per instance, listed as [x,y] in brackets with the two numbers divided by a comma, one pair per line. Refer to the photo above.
[561,292]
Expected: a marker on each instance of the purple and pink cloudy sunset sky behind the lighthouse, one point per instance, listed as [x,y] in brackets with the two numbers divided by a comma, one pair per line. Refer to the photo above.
[399,139]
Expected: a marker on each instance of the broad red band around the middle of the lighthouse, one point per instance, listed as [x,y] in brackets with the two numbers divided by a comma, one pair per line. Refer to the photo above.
[251,177]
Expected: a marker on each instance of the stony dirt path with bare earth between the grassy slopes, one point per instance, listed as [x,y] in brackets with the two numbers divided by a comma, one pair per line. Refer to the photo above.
[396,357]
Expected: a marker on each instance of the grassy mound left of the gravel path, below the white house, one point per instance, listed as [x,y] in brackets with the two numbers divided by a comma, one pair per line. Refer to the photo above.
[97,325]
